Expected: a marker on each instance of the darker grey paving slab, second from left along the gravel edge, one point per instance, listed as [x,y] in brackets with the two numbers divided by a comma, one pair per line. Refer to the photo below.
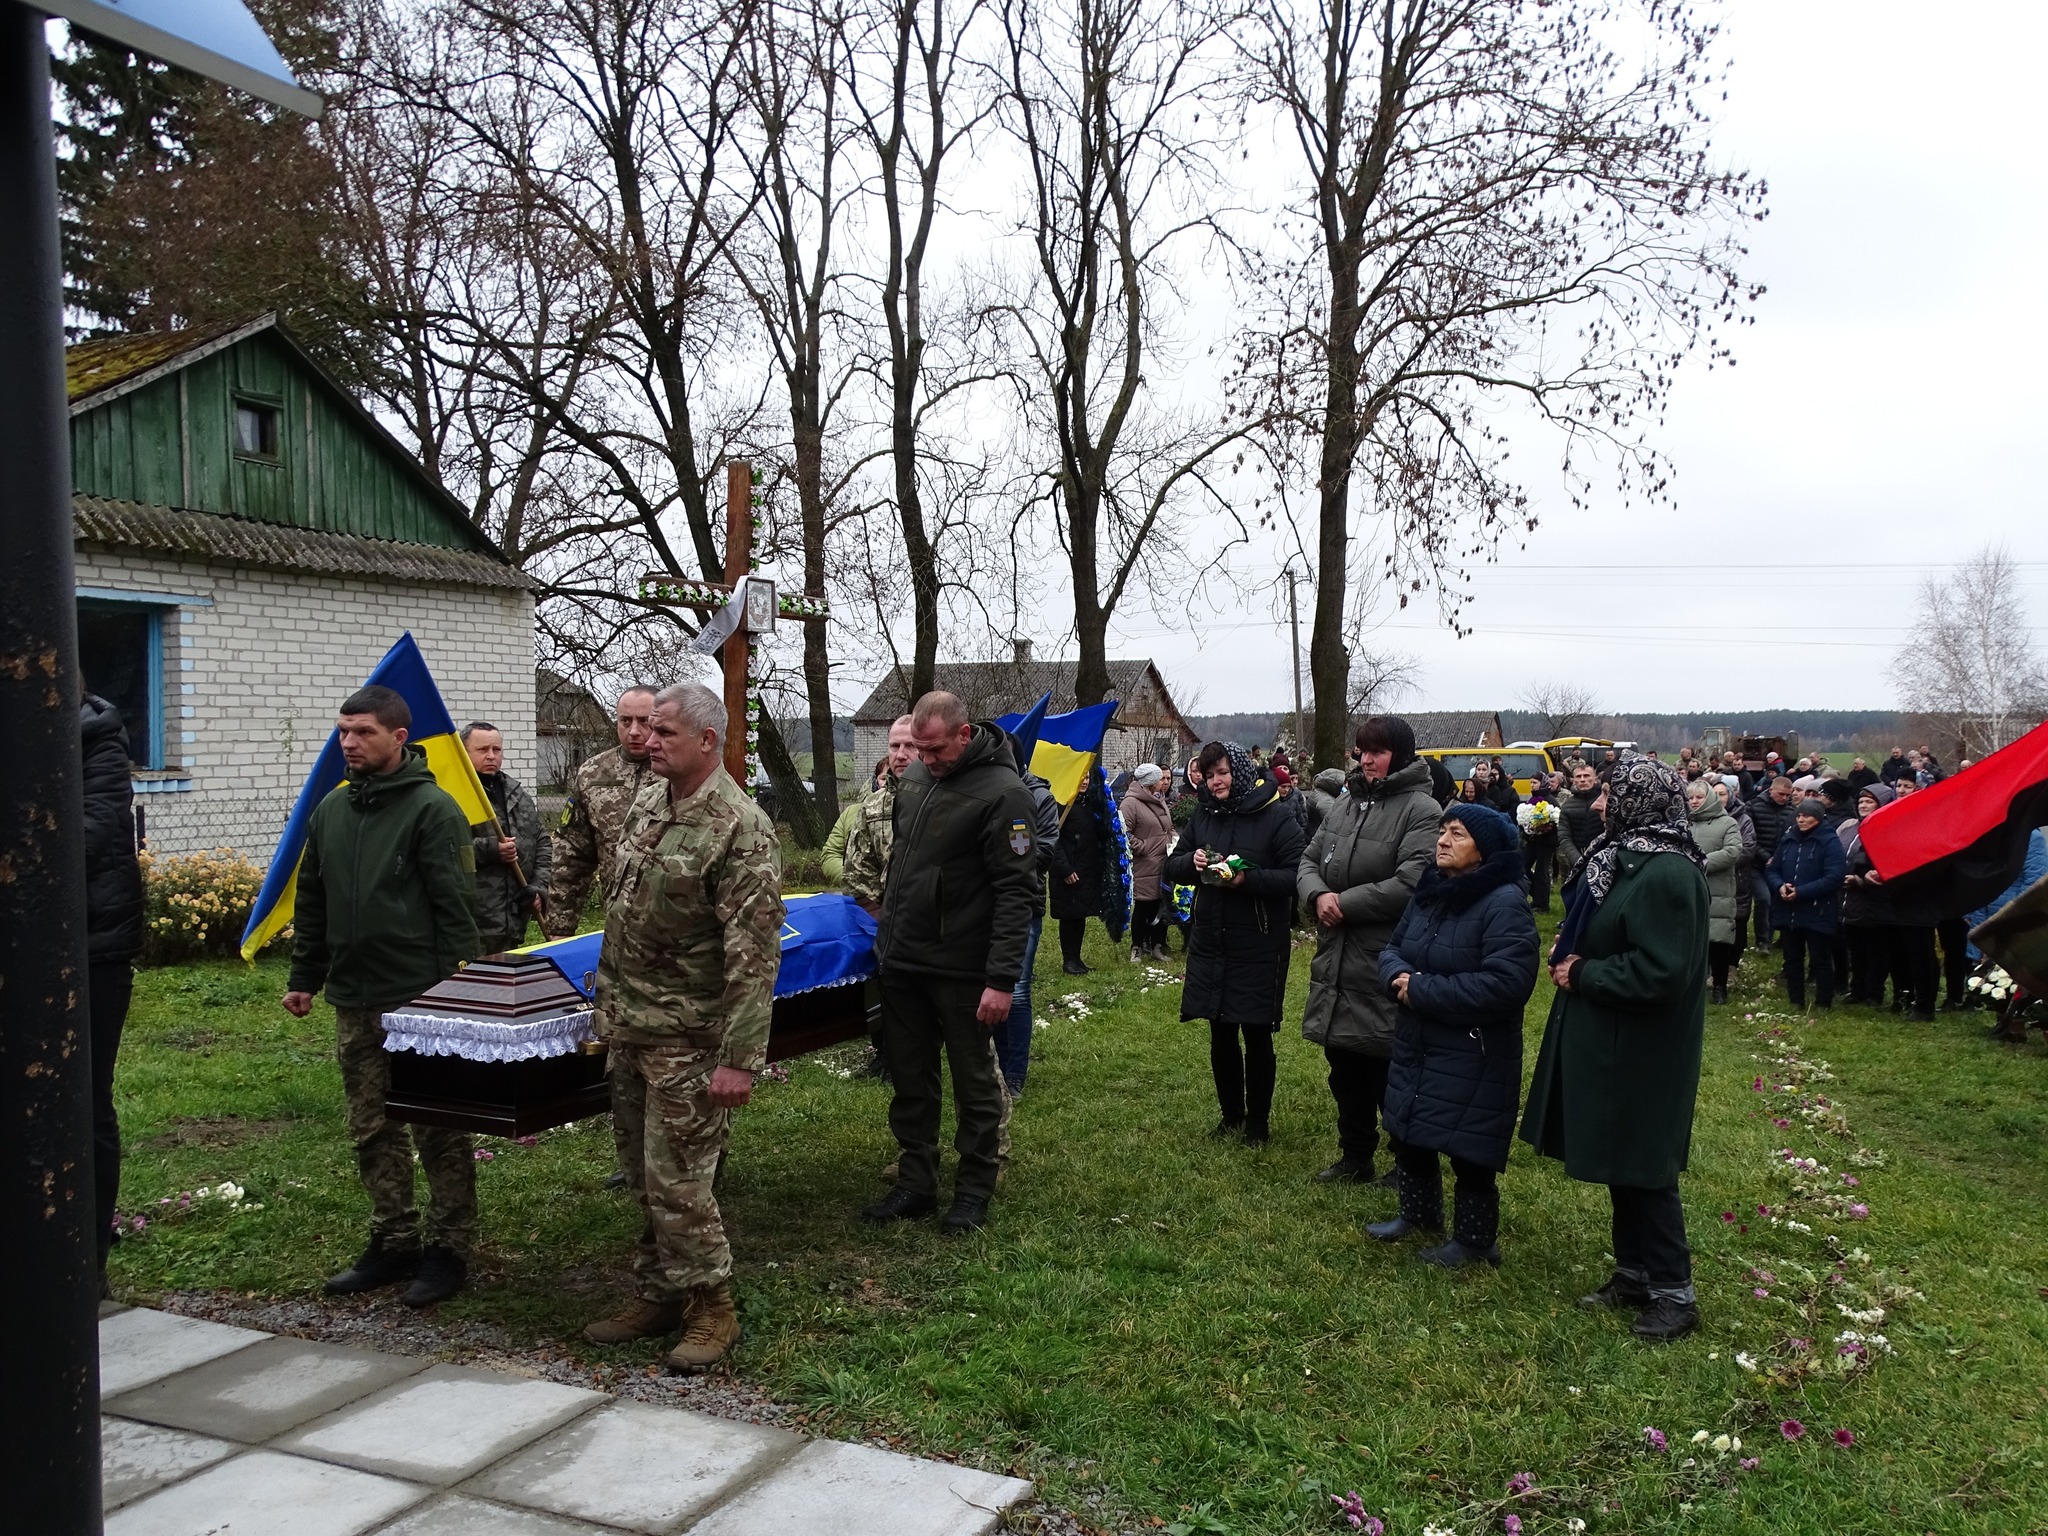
[265,1390]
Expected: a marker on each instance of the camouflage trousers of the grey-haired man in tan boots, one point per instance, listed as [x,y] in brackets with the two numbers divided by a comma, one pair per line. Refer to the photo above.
[667,1089]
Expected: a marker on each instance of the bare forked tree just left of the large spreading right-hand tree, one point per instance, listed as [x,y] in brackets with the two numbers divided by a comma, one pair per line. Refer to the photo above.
[1105,101]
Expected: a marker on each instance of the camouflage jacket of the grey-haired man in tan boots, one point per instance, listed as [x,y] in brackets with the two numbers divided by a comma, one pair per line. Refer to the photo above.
[693,925]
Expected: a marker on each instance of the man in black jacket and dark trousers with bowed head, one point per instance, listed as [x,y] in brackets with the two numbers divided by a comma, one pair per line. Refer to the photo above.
[957,906]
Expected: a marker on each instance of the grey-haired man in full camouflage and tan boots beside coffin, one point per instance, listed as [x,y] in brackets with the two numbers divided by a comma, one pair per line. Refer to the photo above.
[693,939]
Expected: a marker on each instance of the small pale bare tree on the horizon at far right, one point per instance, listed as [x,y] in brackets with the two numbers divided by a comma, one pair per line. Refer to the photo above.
[1971,658]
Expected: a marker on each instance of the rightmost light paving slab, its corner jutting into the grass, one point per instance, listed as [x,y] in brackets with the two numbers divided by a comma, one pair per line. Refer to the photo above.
[865,1492]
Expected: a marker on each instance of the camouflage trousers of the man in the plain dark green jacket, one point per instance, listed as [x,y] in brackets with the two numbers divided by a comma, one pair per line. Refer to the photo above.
[386,1148]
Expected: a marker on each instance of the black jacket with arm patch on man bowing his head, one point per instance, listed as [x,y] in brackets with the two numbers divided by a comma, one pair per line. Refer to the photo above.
[964,869]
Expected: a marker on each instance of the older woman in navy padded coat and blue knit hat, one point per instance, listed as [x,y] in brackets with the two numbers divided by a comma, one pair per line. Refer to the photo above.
[1461,970]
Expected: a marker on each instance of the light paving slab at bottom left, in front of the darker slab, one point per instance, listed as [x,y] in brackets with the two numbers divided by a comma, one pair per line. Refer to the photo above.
[263,1494]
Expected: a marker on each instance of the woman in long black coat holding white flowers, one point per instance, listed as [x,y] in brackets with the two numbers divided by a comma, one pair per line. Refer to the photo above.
[1238,941]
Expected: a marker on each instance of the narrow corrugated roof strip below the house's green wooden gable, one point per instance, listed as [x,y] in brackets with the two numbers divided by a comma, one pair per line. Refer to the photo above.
[269,546]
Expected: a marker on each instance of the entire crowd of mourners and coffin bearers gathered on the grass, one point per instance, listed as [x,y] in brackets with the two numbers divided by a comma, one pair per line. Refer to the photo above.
[1420,894]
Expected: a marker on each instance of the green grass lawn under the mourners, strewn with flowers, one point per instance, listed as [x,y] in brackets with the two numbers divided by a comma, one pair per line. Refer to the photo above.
[1164,1328]
